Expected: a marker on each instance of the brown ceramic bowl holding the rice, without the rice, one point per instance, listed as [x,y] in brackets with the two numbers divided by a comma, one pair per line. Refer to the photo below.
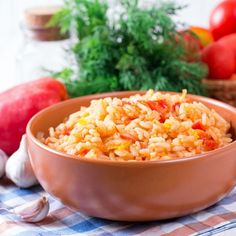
[131,191]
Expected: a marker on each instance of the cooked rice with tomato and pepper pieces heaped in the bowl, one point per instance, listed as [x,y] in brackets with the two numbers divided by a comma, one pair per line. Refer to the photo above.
[154,126]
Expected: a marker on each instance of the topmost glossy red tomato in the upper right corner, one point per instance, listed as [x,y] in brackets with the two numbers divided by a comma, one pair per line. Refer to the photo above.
[223,18]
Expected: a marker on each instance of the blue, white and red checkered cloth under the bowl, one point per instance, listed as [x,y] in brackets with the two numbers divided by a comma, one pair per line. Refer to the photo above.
[63,221]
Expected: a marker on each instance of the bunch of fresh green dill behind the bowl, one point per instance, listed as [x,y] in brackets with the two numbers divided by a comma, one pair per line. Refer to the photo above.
[139,50]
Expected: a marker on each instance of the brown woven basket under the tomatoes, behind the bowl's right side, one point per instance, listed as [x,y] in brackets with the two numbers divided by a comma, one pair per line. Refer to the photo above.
[223,90]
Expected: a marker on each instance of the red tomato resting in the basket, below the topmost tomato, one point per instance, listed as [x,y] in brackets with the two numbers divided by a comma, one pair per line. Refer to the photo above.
[220,60]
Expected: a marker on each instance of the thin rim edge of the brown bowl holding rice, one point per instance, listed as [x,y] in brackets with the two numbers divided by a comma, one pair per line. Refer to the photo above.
[132,162]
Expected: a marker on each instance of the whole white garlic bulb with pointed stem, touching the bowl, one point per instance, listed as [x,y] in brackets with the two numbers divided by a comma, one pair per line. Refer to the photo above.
[18,167]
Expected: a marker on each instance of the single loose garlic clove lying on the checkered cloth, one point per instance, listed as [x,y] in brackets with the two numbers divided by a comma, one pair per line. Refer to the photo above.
[34,211]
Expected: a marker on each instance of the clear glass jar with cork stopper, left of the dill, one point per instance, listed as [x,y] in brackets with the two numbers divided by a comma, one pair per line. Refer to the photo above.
[43,50]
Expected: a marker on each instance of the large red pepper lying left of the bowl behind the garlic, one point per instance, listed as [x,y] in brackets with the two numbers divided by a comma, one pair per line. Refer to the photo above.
[20,103]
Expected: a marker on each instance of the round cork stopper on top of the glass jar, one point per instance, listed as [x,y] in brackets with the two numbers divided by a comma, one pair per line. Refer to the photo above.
[36,21]
